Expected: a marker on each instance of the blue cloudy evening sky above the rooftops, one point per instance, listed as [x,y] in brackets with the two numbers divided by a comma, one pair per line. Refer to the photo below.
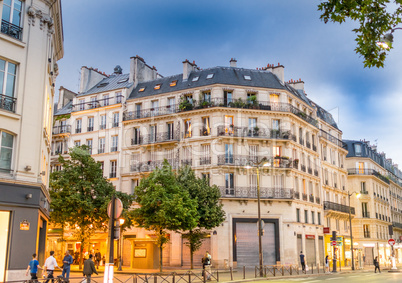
[102,34]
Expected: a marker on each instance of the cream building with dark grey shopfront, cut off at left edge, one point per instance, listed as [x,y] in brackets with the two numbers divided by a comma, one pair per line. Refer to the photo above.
[31,43]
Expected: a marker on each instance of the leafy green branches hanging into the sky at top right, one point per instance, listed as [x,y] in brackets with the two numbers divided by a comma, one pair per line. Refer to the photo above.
[375,18]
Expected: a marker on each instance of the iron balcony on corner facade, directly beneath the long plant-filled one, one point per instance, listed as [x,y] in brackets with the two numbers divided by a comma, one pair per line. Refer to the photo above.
[246,132]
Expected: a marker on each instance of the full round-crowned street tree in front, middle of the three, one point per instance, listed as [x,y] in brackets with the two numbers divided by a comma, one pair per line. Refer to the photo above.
[163,205]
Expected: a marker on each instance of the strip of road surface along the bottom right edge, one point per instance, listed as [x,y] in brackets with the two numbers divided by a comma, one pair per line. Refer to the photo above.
[366,277]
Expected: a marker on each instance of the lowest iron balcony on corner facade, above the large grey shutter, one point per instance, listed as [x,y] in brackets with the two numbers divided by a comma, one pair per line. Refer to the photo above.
[251,192]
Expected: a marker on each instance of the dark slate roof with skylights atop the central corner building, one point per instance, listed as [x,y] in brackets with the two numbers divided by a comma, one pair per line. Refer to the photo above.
[221,75]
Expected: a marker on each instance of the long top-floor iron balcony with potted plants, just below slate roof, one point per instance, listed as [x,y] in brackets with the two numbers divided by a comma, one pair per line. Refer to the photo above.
[219,102]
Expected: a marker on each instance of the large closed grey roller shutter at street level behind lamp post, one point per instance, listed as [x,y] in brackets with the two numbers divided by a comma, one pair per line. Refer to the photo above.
[247,244]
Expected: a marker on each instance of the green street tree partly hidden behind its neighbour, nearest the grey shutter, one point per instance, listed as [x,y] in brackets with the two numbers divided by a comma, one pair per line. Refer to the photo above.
[210,210]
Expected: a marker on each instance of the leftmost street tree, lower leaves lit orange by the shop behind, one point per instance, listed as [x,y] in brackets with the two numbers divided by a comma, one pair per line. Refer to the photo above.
[80,195]
